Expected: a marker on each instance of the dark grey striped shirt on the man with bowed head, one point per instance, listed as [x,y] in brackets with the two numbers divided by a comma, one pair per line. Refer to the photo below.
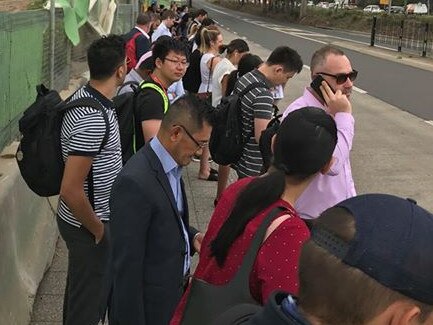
[257,103]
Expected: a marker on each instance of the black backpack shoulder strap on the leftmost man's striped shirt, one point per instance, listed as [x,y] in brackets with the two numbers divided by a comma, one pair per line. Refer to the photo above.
[91,102]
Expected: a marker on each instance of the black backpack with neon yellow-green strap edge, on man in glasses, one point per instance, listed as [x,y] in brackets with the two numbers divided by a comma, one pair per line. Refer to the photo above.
[125,105]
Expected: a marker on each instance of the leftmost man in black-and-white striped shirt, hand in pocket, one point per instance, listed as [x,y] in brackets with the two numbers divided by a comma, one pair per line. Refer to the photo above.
[92,153]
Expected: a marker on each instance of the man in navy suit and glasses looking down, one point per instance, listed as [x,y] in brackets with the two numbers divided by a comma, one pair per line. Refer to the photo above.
[152,240]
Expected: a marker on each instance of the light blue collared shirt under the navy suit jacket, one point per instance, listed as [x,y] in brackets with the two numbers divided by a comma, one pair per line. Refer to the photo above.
[174,173]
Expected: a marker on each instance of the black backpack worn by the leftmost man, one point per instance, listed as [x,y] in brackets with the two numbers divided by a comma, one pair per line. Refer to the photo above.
[39,154]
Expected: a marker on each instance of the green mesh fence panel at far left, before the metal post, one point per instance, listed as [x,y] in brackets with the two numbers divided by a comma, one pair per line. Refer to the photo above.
[21,58]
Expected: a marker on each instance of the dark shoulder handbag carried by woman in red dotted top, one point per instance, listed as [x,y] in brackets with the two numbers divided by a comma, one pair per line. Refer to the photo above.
[207,302]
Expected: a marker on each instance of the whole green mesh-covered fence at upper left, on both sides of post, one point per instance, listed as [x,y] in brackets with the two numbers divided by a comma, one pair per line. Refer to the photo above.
[25,55]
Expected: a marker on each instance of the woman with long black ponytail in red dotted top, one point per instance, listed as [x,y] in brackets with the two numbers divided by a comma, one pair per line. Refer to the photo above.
[303,148]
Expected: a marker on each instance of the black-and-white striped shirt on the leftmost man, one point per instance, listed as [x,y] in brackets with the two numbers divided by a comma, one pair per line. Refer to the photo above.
[83,130]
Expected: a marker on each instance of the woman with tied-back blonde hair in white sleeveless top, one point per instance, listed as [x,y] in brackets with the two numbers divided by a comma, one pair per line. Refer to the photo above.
[211,41]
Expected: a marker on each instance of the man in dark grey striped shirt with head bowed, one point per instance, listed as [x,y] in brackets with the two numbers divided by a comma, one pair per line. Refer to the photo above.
[257,104]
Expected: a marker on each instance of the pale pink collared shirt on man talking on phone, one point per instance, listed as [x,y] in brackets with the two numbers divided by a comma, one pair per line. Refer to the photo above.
[337,185]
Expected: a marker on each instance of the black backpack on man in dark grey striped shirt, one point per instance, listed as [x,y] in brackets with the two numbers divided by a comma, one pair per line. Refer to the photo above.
[226,140]
